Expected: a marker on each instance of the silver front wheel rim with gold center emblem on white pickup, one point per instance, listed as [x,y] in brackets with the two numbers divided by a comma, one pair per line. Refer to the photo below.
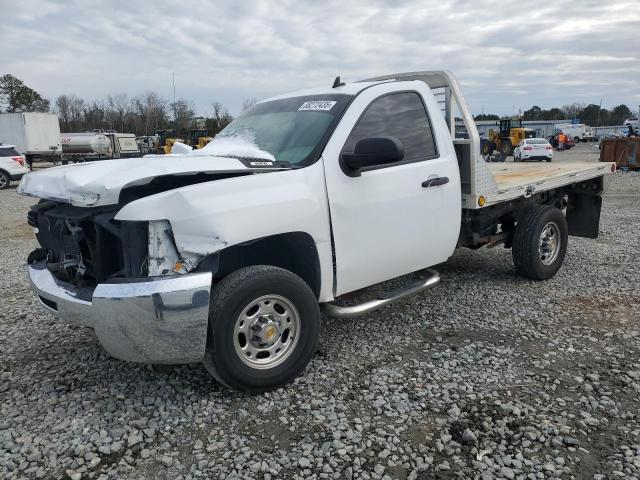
[266,332]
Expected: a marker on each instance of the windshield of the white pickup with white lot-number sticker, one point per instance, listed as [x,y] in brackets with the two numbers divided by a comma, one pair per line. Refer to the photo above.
[292,130]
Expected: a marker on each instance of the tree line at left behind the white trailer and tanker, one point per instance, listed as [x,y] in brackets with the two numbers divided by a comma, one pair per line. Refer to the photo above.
[142,114]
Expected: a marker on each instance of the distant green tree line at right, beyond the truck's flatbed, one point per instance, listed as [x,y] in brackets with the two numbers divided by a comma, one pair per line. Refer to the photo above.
[589,114]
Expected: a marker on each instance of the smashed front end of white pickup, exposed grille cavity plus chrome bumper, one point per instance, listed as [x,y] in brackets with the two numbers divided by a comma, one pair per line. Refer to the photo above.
[125,279]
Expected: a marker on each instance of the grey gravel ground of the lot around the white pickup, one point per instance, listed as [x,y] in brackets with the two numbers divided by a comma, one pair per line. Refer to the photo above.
[486,376]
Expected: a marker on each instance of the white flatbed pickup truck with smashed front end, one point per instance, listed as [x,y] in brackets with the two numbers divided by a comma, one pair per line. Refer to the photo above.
[226,255]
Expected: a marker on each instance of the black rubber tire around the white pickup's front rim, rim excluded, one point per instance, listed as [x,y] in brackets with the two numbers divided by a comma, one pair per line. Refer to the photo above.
[229,298]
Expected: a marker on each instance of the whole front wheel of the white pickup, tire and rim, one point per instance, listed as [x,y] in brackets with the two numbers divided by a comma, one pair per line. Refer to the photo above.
[264,328]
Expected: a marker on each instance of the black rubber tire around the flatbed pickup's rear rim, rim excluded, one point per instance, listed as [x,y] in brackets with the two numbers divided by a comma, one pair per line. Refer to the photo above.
[527,242]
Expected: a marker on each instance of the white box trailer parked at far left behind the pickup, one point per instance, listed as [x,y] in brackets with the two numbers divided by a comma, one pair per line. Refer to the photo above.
[36,135]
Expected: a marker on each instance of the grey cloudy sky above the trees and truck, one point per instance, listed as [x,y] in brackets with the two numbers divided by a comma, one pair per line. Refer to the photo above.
[507,56]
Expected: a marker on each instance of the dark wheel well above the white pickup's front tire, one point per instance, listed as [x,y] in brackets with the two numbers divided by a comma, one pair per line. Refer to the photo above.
[293,251]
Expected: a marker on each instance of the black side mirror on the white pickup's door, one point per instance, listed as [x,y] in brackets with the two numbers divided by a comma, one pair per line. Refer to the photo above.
[370,152]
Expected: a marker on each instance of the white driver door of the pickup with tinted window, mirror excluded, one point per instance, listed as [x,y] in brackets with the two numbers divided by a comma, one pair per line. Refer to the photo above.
[390,220]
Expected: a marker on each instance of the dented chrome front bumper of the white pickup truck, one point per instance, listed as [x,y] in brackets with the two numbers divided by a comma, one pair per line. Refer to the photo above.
[159,320]
